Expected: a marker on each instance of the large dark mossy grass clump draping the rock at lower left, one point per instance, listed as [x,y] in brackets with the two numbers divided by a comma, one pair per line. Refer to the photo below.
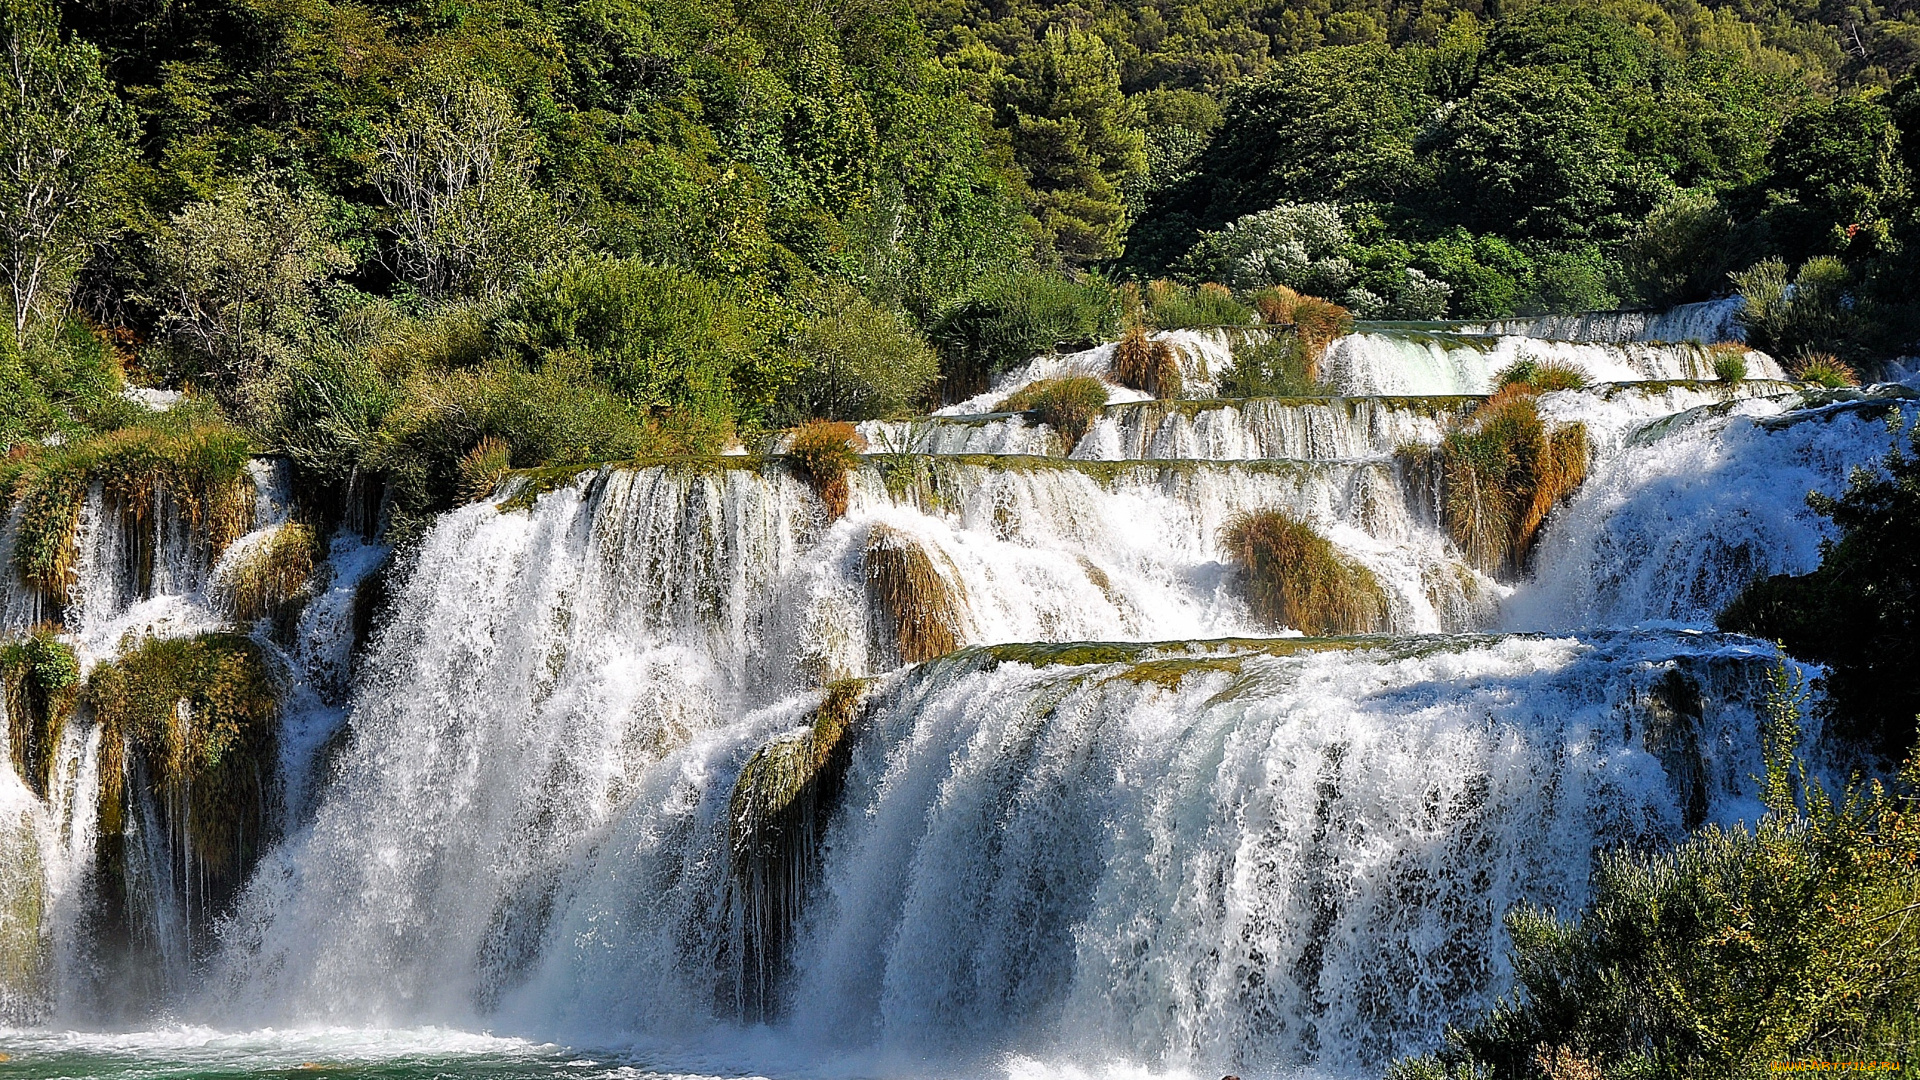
[195,718]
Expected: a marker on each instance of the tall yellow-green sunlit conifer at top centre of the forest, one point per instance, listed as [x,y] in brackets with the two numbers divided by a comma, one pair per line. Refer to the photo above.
[1076,143]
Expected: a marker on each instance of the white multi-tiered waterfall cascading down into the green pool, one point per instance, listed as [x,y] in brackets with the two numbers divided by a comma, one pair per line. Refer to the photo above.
[1195,850]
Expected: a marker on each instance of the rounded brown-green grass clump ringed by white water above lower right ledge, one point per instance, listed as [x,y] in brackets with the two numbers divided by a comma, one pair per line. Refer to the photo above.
[1295,577]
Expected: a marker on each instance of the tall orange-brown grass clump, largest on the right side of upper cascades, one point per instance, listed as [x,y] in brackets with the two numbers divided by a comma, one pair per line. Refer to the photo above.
[1502,474]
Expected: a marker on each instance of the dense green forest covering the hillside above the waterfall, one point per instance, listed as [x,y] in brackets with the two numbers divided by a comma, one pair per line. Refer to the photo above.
[387,237]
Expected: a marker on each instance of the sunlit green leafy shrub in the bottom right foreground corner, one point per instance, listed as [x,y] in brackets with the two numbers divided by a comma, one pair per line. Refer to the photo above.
[1742,948]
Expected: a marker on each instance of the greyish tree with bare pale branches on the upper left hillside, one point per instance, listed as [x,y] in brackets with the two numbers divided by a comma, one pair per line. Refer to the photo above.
[458,170]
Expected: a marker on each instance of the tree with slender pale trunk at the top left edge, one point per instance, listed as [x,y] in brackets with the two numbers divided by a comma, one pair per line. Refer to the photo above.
[62,141]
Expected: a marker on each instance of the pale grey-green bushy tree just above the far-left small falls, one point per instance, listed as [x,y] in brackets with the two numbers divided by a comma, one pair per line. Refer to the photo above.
[239,278]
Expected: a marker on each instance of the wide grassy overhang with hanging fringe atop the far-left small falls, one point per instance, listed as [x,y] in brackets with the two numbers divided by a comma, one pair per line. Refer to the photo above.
[195,462]
